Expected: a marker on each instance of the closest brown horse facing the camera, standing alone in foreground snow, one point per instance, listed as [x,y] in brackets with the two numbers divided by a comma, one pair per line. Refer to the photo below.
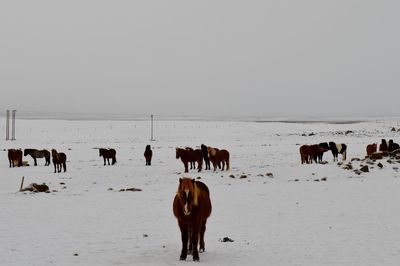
[192,207]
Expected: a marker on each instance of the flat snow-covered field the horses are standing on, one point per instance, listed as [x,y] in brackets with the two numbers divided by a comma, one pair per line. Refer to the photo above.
[286,219]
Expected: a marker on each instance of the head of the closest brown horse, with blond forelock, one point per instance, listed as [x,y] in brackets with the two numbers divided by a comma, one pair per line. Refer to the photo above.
[187,193]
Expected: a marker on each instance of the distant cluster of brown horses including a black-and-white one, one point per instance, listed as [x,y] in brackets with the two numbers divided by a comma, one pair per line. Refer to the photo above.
[315,152]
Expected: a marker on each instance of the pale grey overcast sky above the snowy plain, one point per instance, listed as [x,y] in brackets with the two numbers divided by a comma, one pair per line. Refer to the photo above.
[263,58]
